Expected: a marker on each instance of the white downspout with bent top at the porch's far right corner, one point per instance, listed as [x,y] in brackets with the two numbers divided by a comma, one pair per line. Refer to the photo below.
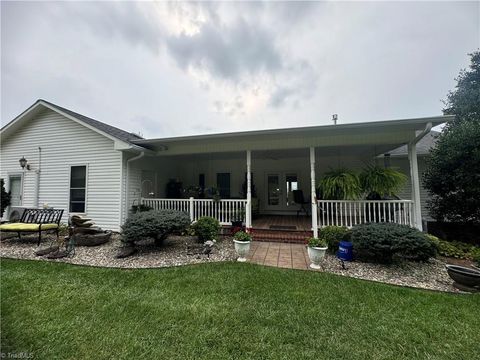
[412,157]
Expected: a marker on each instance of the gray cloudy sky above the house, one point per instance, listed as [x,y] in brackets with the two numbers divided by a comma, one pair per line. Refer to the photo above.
[166,69]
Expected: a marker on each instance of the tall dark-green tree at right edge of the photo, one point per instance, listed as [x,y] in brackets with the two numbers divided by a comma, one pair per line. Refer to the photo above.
[452,176]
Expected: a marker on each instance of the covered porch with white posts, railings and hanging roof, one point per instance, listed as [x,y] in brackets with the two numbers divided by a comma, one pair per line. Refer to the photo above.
[257,174]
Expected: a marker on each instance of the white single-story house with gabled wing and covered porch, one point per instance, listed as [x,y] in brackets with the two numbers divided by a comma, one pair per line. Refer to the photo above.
[88,167]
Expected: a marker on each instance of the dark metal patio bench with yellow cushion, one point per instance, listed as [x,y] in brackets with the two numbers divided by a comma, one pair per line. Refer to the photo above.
[35,220]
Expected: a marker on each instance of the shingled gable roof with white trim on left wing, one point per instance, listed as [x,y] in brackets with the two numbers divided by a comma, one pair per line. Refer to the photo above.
[102,128]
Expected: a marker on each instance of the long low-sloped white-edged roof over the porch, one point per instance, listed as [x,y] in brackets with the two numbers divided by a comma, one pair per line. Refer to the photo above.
[387,134]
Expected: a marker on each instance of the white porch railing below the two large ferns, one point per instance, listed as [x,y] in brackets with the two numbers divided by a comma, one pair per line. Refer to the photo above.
[350,212]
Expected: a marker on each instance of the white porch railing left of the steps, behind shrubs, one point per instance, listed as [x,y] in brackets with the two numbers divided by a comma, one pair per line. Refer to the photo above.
[224,210]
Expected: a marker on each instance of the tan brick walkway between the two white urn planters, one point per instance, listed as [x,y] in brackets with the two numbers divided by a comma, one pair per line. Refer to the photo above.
[293,256]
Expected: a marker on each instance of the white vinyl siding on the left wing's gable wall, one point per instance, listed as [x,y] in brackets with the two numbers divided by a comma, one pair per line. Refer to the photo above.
[65,143]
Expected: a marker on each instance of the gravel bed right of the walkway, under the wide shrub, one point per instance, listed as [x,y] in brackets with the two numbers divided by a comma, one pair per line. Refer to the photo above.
[430,275]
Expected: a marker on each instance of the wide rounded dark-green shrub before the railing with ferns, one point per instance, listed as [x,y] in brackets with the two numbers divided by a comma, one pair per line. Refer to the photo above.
[381,242]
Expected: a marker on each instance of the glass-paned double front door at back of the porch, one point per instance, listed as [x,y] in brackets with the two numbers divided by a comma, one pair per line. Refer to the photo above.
[279,187]
